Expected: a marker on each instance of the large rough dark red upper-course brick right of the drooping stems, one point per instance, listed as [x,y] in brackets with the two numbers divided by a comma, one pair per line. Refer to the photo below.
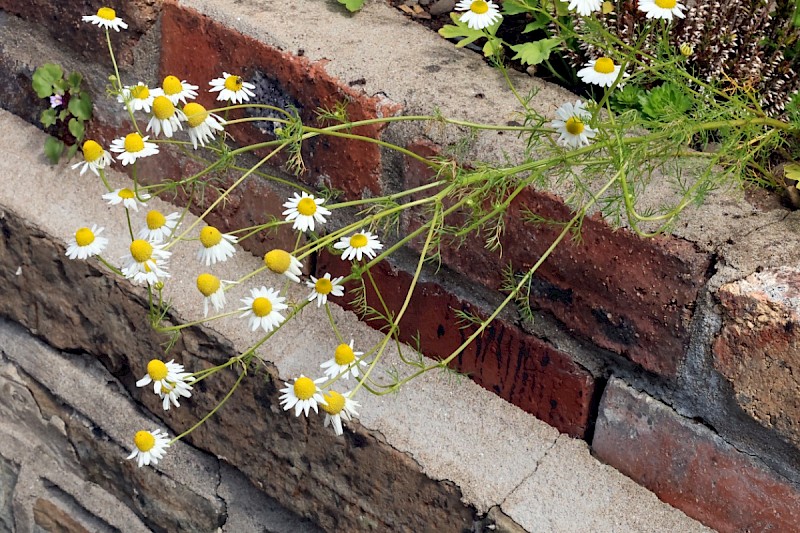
[629,295]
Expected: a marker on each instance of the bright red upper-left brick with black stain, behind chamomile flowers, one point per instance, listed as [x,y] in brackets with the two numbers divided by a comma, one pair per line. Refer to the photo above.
[197,49]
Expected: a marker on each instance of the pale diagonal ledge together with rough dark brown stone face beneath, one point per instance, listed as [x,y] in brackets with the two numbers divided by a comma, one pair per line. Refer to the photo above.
[441,453]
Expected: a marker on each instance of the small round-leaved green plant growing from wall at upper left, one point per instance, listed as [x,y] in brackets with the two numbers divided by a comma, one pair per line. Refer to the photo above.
[49,80]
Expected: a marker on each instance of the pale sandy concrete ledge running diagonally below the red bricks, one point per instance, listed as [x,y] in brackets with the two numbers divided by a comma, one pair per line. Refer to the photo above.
[455,430]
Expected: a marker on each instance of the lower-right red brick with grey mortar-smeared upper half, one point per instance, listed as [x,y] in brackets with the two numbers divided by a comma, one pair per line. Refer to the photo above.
[690,467]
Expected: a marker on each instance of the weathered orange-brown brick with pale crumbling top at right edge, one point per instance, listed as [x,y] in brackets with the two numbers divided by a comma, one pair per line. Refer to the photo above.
[758,347]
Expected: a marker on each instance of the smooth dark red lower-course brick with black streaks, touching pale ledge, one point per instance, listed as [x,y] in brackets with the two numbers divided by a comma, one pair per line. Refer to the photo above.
[518,367]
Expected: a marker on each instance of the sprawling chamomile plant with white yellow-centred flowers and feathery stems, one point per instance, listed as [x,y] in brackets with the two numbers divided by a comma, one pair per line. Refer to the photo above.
[604,158]
